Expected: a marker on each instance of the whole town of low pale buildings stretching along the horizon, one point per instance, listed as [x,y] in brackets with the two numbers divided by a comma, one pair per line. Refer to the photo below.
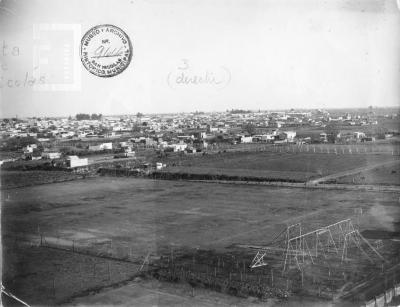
[189,132]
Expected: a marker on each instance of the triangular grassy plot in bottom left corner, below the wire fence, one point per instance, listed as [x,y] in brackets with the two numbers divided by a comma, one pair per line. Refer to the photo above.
[46,276]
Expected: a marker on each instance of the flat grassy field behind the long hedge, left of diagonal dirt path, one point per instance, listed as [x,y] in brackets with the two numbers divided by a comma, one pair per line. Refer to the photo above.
[296,166]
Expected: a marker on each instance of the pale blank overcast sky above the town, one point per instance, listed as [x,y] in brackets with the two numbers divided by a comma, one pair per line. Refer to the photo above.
[266,54]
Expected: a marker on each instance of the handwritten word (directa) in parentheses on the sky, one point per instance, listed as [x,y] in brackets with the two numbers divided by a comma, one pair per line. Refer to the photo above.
[185,78]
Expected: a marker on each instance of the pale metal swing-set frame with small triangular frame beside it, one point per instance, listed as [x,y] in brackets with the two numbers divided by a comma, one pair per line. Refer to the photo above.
[301,248]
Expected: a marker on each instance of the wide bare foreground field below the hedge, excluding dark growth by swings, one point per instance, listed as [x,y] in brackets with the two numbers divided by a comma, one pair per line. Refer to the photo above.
[134,217]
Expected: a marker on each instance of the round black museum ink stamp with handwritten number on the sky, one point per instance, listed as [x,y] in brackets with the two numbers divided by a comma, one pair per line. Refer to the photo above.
[106,51]
